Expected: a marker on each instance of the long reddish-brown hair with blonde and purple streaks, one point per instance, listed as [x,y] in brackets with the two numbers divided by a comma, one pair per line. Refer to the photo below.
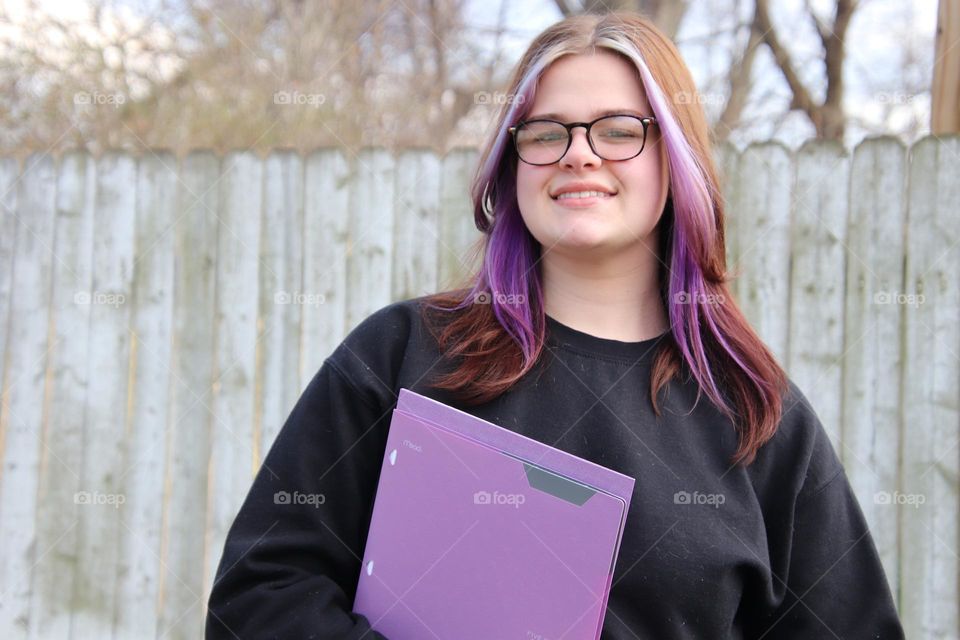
[494,327]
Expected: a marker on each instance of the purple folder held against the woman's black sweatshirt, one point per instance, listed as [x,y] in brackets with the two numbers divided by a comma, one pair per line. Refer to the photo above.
[480,533]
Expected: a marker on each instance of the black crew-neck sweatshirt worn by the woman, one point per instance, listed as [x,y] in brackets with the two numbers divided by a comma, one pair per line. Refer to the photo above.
[777,550]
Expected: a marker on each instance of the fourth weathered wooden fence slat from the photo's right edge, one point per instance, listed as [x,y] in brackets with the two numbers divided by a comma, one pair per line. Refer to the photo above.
[766,189]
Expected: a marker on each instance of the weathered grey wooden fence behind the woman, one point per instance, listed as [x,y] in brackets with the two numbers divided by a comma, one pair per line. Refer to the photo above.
[160,316]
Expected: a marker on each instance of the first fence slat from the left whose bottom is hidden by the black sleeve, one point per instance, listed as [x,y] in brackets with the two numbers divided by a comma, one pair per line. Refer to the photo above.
[231,464]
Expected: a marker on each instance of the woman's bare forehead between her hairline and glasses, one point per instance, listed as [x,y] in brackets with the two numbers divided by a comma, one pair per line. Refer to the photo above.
[584,85]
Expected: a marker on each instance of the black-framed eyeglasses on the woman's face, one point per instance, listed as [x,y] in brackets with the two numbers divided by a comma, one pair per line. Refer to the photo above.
[616,137]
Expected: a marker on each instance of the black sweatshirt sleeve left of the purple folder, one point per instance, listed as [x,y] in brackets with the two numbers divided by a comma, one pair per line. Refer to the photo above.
[291,560]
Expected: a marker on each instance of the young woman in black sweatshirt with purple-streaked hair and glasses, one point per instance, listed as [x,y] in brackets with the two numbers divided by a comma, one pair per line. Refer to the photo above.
[600,323]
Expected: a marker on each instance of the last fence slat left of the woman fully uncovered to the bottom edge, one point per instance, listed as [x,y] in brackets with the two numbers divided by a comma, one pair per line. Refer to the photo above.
[187,447]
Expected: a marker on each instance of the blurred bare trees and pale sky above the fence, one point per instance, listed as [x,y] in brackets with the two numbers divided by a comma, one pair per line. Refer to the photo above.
[263,74]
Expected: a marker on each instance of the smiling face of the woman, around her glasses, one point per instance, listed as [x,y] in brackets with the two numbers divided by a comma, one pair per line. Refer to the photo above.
[577,88]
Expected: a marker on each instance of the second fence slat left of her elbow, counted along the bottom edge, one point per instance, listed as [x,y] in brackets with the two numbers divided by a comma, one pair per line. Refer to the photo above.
[142,475]
